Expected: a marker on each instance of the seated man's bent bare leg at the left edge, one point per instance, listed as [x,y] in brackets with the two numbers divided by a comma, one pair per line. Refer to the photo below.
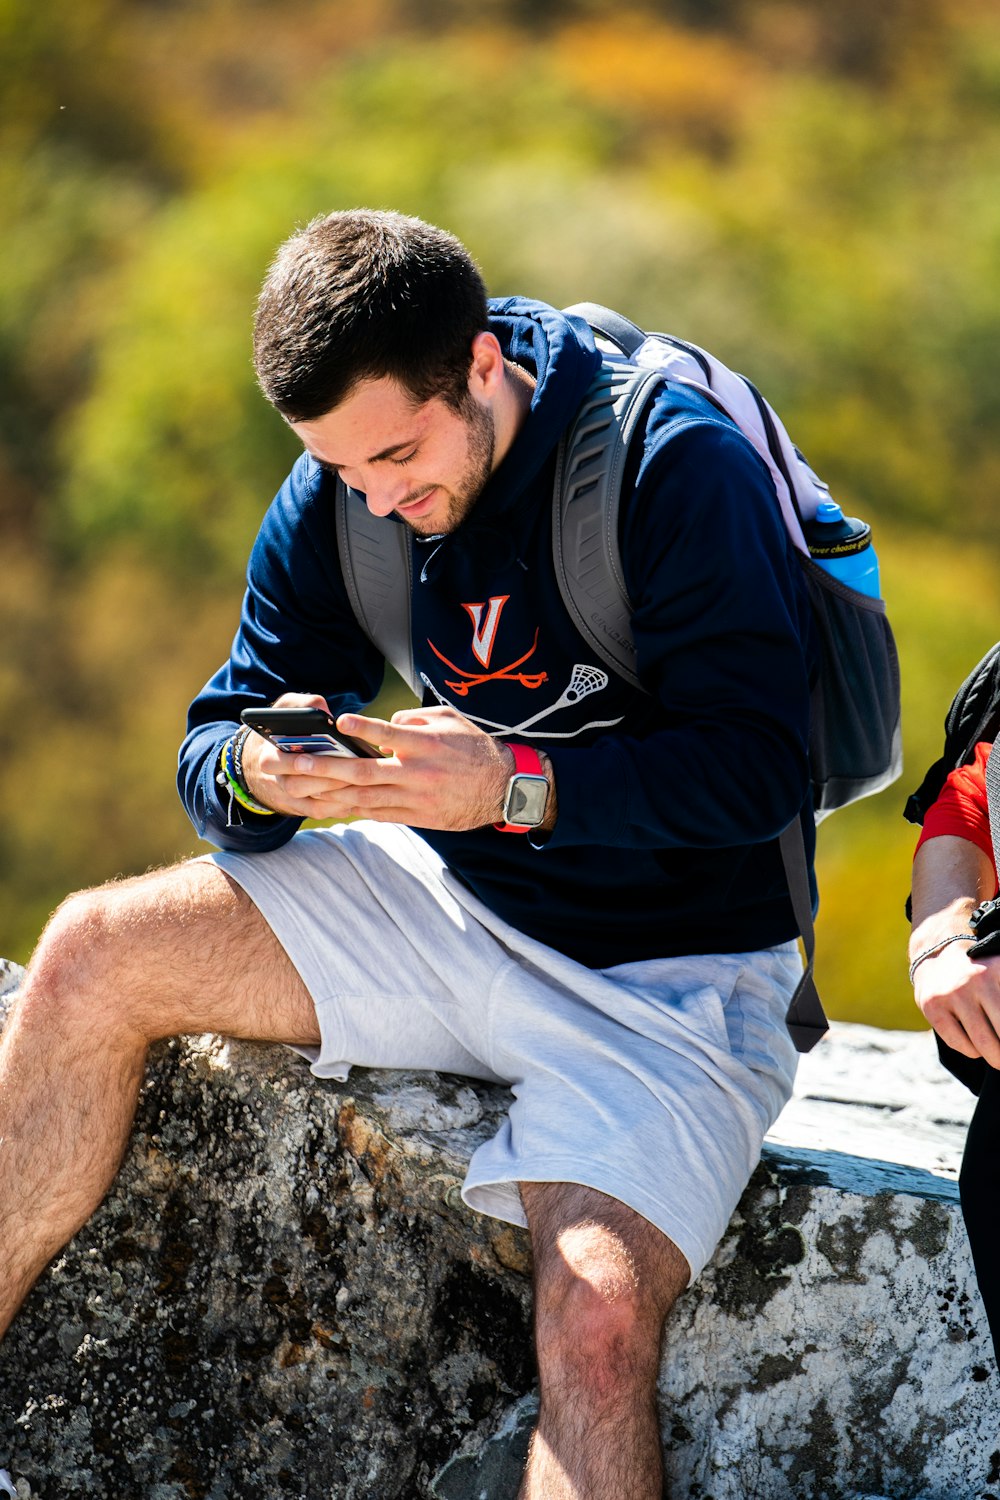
[181,952]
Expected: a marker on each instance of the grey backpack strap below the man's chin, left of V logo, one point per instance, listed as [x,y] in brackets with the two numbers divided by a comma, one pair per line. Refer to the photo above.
[377,568]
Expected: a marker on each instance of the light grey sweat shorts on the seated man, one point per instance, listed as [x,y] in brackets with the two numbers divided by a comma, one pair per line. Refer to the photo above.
[653,1082]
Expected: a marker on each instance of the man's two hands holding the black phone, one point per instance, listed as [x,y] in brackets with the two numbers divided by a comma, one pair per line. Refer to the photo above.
[439,772]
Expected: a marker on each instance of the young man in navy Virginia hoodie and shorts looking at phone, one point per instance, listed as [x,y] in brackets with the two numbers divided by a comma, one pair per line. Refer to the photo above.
[621,958]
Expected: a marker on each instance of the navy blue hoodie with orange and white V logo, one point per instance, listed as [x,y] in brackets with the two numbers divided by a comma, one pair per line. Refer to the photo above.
[669,802]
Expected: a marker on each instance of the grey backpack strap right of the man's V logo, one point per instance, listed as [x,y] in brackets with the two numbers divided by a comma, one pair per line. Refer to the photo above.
[585,508]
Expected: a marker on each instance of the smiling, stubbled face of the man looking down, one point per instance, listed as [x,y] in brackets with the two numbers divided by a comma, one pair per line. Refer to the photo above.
[428,463]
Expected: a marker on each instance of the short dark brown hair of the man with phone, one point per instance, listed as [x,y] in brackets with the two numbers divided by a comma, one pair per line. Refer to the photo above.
[364,295]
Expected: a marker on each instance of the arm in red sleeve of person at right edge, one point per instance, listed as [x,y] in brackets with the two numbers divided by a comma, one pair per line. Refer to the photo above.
[953,874]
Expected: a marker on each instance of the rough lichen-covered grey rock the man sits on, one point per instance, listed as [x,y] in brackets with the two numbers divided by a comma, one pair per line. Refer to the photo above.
[284,1295]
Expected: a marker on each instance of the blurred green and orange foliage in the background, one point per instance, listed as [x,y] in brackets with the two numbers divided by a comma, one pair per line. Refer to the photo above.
[809,191]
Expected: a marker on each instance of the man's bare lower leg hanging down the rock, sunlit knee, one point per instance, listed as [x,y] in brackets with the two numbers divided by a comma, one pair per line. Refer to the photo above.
[605,1283]
